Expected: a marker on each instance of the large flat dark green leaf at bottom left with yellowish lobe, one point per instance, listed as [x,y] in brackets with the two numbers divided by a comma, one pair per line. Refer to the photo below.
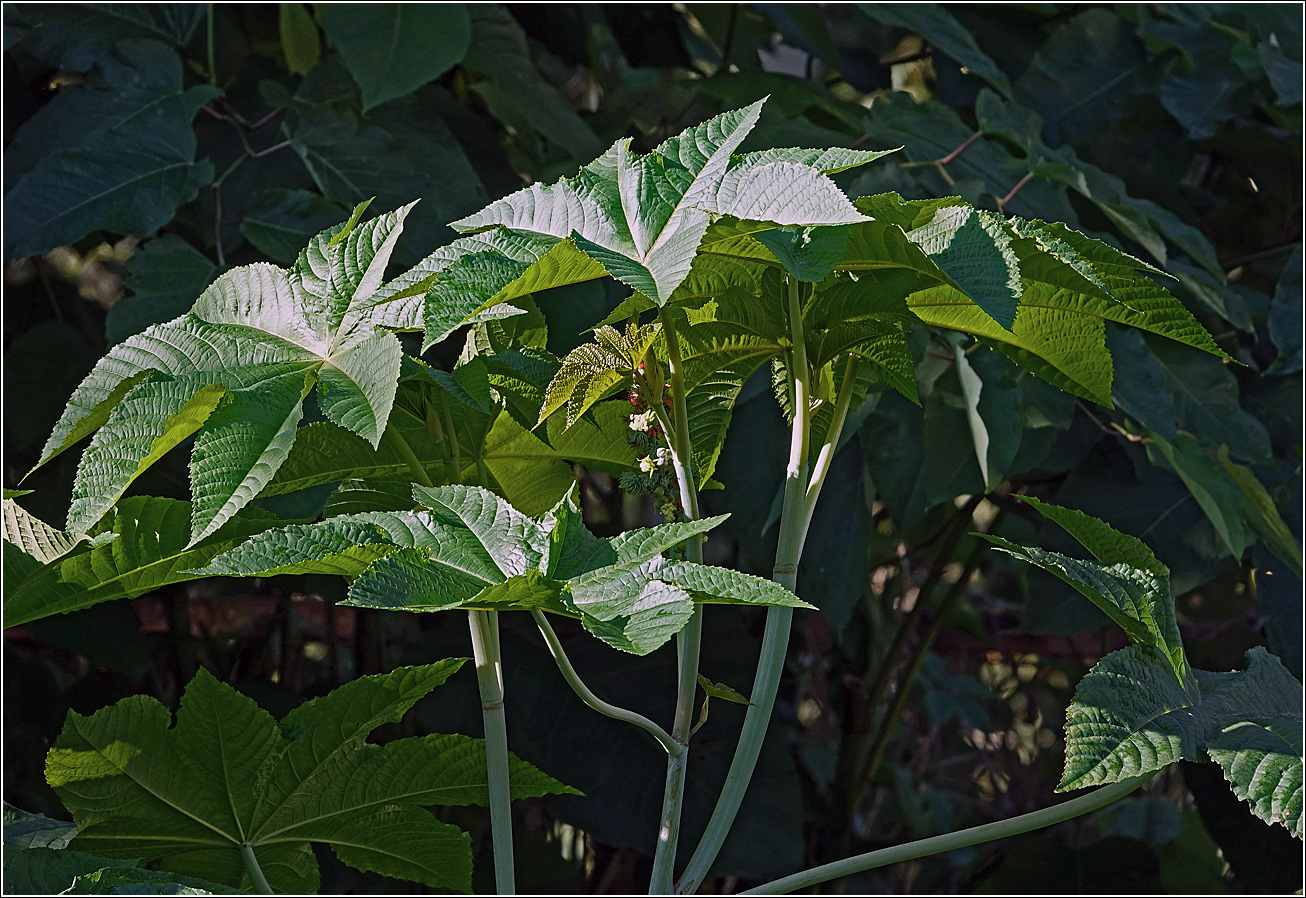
[186,798]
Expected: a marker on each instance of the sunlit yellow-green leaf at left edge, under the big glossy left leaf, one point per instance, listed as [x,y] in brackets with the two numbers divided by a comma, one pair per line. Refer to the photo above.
[142,548]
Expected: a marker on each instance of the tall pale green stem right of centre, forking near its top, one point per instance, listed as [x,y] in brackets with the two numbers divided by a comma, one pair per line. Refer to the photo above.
[775,642]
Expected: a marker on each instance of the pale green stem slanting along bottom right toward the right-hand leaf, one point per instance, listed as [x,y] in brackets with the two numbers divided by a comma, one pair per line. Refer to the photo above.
[953,841]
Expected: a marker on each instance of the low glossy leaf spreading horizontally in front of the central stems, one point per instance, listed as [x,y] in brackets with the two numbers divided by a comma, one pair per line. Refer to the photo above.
[470,549]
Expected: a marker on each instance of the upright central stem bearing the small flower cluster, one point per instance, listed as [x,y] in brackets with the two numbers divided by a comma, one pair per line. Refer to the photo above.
[689,640]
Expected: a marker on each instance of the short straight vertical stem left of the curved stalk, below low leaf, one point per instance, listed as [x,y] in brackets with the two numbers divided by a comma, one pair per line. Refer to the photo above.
[490,683]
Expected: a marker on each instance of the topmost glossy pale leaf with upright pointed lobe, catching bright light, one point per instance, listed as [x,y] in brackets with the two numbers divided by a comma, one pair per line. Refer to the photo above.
[645,217]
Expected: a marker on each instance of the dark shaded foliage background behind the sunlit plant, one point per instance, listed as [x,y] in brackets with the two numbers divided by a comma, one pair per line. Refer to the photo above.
[150,148]
